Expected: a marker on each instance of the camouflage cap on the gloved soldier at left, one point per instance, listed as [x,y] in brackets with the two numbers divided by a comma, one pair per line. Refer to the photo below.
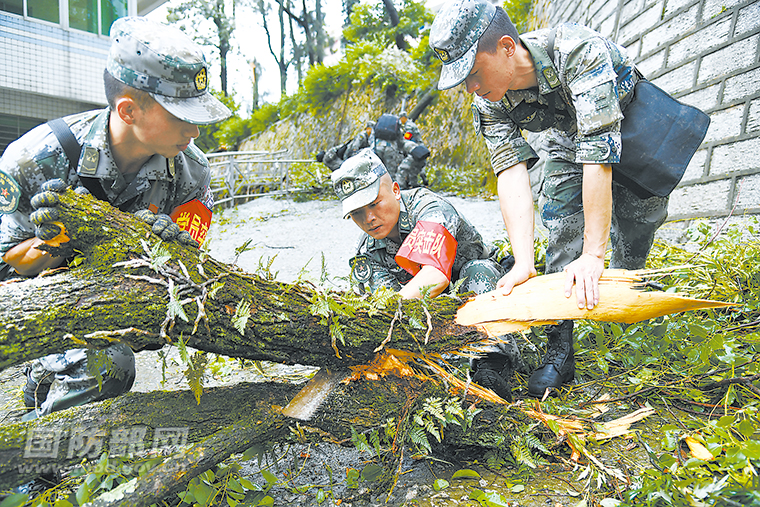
[163,61]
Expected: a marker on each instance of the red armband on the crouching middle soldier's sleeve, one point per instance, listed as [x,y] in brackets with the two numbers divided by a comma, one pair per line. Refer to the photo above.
[429,244]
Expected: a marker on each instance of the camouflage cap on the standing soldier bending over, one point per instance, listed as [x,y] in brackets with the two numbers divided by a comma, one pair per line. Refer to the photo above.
[454,37]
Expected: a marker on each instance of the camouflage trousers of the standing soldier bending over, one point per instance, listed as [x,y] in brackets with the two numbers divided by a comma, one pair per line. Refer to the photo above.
[634,220]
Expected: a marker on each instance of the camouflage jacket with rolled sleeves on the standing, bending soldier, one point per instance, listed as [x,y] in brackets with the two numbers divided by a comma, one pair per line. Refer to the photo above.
[594,79]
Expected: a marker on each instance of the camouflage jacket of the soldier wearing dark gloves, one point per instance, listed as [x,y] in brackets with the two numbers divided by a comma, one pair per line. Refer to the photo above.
[38,157]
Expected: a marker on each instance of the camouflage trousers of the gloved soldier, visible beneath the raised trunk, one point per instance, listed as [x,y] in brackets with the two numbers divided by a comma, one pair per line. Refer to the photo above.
[61,381]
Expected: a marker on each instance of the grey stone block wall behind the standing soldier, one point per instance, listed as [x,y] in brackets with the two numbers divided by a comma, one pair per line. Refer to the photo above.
[705,53]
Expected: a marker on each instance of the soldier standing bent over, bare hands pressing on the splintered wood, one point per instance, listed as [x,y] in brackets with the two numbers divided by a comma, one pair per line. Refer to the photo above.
[576,98]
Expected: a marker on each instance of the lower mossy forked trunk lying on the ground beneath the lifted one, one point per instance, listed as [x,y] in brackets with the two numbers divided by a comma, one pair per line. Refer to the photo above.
[227,420]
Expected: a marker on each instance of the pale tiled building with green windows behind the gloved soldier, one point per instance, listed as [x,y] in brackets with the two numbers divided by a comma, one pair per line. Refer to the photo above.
[53,54]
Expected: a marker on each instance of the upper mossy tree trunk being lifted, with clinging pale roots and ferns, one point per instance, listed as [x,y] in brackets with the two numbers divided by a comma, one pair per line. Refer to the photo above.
[127,288]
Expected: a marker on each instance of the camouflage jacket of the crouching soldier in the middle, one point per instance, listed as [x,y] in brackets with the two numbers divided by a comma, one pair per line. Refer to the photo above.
[375,264]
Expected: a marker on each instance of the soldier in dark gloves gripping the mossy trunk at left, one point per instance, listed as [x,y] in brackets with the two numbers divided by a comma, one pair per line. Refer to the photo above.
[137,154]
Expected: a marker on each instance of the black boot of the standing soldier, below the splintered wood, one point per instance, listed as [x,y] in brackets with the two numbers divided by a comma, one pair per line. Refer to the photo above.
[558,365]
